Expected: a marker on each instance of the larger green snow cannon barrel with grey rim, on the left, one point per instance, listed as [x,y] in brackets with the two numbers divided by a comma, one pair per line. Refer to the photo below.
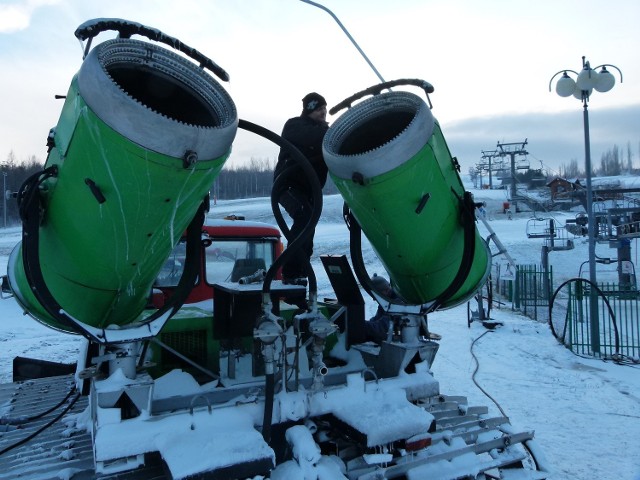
[142,135]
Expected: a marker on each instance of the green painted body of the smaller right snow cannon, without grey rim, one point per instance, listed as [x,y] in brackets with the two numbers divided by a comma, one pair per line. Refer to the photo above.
[421,248]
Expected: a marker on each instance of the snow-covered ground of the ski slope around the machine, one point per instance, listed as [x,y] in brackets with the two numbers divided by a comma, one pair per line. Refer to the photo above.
[585,412]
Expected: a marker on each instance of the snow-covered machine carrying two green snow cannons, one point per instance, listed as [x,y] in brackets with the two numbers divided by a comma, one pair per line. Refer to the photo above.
[297,393]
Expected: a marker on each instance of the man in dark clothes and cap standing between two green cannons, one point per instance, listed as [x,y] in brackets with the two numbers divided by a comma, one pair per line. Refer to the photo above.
[306,133]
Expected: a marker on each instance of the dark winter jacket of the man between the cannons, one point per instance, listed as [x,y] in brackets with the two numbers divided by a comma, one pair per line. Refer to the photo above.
[306,135]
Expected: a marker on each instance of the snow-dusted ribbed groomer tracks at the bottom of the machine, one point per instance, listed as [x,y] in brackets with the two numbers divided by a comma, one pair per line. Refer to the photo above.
[463,442]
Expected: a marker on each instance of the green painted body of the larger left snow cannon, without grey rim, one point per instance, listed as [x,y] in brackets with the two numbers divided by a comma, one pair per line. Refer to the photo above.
[100,259]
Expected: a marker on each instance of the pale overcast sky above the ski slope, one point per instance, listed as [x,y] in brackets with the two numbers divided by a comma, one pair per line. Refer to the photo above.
[490,63]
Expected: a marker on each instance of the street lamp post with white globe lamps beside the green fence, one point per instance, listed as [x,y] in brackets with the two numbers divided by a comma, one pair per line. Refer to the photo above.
[581,88]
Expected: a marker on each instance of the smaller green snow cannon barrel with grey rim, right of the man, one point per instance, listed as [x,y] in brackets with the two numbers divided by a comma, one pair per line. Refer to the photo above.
[389,159]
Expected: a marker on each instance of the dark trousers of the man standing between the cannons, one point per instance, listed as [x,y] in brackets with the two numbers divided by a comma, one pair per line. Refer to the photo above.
[298,206]
